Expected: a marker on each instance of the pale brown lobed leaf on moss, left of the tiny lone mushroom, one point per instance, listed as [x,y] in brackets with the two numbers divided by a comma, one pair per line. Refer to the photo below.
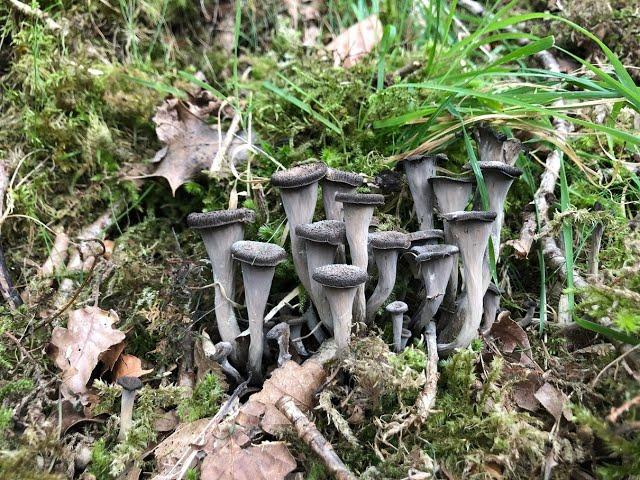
[78,348]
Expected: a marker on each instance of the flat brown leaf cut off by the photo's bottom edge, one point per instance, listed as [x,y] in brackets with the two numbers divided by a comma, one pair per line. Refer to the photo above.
[267,461]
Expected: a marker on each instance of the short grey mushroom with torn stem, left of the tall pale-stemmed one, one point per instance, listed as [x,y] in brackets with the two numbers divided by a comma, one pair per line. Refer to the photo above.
[436,263]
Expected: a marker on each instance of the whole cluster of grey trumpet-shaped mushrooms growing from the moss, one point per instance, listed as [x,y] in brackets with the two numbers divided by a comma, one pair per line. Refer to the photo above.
[349,270]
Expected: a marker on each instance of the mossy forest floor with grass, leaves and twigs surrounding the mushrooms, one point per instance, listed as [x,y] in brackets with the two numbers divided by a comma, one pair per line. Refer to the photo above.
[101,162]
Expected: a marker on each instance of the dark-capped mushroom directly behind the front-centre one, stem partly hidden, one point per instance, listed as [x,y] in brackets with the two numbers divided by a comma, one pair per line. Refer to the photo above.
[322,240]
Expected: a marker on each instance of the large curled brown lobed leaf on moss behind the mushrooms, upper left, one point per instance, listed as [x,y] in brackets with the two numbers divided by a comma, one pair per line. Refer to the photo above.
[190,143]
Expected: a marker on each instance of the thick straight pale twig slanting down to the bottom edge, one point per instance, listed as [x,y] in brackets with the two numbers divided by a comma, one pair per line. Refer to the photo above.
[312,437]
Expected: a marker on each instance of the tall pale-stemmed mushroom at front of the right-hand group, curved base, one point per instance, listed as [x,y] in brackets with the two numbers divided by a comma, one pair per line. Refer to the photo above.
[470,232]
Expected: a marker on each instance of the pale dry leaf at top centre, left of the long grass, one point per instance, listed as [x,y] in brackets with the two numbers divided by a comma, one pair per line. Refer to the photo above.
[356,41]
